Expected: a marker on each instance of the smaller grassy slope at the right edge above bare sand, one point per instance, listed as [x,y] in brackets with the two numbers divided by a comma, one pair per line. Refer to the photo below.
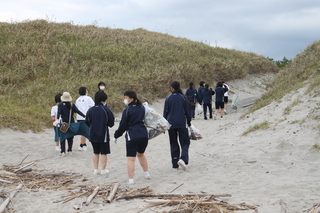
[304,70]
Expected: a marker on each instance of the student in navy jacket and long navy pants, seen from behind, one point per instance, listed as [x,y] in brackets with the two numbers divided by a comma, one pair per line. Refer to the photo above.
[177,112]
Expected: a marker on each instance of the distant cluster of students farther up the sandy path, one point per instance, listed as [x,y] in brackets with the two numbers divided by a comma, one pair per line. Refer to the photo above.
[203,96]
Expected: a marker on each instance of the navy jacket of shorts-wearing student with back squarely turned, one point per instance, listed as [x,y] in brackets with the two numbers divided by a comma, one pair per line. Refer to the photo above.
[99,118]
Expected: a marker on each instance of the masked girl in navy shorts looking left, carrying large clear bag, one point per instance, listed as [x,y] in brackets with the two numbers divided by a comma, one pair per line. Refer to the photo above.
[132,122]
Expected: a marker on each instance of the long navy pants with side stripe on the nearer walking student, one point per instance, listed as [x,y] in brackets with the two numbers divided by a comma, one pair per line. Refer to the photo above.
[184,140]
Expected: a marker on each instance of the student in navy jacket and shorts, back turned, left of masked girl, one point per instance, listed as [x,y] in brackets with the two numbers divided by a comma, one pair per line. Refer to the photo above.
[99,118]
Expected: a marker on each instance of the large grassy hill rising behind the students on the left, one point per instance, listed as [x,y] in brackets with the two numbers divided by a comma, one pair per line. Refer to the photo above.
[38,59]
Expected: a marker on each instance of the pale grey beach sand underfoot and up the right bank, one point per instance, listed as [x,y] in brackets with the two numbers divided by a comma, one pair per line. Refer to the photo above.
[259,169]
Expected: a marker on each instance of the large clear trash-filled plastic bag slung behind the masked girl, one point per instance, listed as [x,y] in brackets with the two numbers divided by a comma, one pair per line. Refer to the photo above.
[155,122]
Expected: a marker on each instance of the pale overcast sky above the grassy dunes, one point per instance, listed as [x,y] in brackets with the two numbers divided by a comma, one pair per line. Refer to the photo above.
[273,28]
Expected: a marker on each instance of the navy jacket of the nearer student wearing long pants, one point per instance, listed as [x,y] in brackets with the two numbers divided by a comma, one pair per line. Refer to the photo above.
[177,110]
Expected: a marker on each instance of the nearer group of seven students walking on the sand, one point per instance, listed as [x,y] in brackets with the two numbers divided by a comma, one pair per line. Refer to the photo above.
[99,118]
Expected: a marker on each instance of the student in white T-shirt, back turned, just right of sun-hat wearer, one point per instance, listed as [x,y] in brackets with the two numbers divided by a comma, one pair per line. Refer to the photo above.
[83,103]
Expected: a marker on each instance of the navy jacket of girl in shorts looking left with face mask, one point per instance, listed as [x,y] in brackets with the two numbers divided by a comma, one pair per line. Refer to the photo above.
[132,121]
